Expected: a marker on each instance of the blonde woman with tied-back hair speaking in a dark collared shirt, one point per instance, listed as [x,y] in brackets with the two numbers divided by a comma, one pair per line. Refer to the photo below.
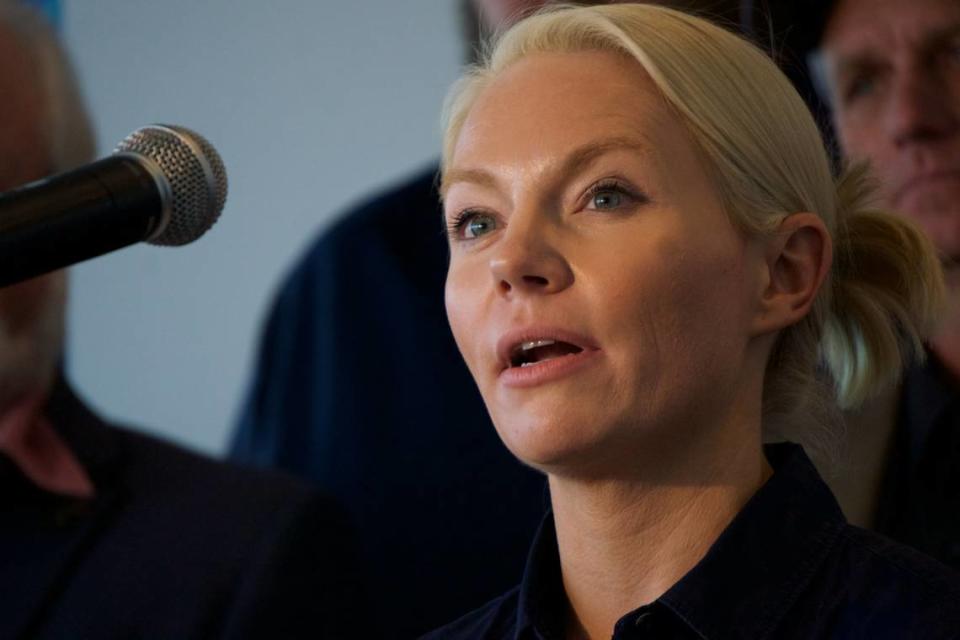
[649,259]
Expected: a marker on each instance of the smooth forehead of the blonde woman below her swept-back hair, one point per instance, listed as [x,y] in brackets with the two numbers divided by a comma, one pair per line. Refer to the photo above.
[548,103]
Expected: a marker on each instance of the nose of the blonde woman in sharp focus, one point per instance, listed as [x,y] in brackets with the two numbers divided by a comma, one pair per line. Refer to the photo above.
[529,261]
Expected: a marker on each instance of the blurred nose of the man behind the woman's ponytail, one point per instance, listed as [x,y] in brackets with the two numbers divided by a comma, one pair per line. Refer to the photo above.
[921,107]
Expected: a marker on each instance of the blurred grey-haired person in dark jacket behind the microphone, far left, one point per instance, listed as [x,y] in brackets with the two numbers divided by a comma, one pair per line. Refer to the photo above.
[108,533]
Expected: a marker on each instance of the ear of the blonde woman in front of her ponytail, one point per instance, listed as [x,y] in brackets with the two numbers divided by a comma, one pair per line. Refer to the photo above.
[797,259]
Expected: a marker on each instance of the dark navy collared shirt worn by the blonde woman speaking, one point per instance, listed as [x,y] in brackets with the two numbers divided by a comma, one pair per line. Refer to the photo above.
[788,566]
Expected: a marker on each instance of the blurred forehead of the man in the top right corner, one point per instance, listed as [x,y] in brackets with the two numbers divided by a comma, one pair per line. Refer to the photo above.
[881,28]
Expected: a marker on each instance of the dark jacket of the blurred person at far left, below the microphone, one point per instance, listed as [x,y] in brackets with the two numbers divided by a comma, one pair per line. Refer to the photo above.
[174,545]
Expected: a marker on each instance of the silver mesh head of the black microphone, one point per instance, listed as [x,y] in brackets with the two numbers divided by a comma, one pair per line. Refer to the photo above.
[195,173]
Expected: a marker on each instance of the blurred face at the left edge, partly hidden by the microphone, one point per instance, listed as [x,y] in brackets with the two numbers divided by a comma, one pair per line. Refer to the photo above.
[31,313]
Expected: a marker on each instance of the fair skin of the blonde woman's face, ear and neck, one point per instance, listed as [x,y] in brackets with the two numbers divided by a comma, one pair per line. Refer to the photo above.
[582,213]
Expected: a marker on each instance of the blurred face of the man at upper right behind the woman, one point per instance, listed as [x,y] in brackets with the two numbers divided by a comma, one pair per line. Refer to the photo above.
[893,70]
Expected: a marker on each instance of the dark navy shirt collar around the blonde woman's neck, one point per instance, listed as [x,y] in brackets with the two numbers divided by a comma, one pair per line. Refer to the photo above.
[748,578]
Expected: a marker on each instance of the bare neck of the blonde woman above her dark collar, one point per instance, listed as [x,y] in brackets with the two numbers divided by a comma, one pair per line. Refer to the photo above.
[624,542]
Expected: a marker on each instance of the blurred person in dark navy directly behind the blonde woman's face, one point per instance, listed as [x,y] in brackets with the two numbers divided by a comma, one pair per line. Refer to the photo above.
[360,388]
